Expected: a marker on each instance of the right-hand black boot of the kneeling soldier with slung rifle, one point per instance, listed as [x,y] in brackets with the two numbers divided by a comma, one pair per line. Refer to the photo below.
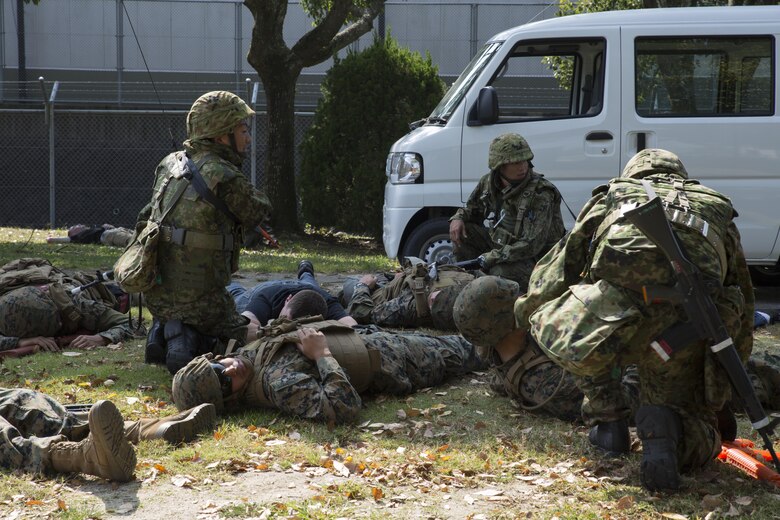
[660,430]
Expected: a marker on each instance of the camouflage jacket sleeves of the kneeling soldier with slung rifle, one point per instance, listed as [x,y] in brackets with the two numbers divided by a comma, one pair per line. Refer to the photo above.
[568,264]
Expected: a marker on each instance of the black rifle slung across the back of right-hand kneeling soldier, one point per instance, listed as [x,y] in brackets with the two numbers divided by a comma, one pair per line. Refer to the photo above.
[692,293]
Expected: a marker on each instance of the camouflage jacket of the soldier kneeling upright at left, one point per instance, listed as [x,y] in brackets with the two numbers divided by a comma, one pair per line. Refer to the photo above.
[187,271]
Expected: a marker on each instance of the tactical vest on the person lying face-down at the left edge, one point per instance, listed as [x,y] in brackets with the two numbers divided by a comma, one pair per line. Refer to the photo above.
[26,272]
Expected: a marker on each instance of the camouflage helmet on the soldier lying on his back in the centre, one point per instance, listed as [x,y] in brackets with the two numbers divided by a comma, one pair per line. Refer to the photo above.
[195,384]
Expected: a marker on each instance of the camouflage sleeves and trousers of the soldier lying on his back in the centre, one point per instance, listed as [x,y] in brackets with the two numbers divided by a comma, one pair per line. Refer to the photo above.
[322,391]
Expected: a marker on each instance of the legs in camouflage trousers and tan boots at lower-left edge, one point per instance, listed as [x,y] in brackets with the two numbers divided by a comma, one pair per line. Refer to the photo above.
[38,434]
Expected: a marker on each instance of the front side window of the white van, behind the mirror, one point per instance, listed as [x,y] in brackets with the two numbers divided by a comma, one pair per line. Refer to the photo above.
[551,79]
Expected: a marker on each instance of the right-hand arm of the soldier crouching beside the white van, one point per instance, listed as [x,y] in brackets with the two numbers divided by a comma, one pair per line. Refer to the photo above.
[536,228]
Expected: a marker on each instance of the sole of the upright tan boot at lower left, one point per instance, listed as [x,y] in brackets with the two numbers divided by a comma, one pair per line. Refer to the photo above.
[107,428]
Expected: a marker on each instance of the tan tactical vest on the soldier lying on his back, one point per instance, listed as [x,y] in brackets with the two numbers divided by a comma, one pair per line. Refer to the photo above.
[344,343]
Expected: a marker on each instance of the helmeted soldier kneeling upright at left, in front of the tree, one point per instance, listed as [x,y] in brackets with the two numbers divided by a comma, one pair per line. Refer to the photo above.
[200,243]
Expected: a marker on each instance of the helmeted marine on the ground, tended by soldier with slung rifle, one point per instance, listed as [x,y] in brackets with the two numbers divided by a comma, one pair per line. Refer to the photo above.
[484,314]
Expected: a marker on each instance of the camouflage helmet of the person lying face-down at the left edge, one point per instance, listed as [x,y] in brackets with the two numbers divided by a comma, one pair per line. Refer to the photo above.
[28,312]
